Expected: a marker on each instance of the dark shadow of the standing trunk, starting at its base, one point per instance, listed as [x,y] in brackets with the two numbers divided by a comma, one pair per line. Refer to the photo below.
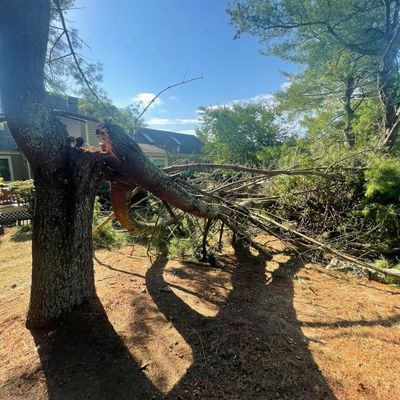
[84,358]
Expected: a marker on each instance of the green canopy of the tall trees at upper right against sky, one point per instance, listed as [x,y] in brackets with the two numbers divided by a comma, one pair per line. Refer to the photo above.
[349,49]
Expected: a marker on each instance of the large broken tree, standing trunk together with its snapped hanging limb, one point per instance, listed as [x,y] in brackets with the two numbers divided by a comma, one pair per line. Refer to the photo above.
[66,178]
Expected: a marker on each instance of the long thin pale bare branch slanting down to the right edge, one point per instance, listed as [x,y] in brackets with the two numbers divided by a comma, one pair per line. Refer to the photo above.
[329,250]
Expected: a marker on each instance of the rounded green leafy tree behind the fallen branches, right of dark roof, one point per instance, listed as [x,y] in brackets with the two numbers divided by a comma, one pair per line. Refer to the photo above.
[234,133]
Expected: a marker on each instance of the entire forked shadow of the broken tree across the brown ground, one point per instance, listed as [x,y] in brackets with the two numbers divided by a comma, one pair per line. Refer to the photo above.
[252,349]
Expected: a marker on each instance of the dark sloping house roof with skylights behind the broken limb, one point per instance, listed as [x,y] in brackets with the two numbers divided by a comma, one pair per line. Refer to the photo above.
[171,141]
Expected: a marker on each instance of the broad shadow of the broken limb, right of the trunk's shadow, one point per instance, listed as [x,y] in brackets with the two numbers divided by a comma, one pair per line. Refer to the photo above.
[254,348]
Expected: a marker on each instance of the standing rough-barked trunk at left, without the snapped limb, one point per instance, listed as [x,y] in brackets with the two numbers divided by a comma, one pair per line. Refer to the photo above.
[65,178]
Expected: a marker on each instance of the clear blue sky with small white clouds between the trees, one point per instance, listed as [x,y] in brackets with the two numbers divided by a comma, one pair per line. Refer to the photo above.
[146,45]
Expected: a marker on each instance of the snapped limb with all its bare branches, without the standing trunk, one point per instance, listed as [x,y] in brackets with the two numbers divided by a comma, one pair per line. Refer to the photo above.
[203,197]
